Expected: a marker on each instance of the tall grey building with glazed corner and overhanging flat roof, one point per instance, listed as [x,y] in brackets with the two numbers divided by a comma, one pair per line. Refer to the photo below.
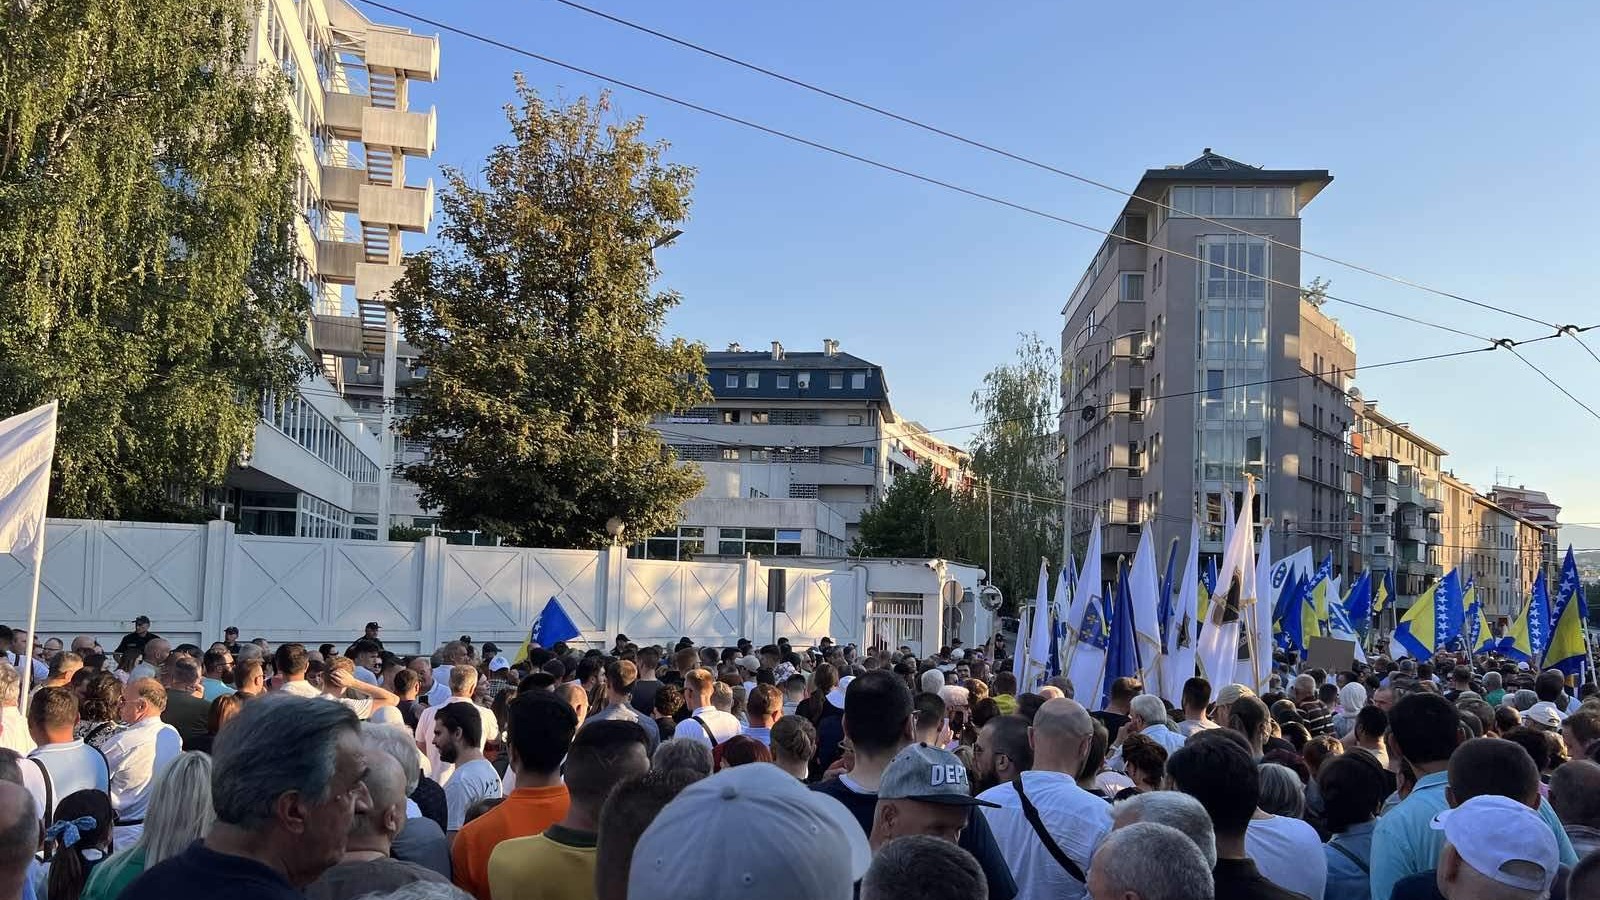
[1170,395]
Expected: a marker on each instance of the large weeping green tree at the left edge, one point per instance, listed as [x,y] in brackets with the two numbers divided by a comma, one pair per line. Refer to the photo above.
[146,255]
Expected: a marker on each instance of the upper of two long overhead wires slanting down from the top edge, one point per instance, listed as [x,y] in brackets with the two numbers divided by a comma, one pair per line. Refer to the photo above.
[1030,161]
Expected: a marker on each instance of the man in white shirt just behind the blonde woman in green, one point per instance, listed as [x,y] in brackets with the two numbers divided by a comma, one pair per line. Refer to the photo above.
[138,755]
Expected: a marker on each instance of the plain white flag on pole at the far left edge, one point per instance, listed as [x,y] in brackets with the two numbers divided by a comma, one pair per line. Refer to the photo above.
[28,441]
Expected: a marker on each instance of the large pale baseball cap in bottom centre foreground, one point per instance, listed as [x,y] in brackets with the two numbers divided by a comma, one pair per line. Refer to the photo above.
[794,843]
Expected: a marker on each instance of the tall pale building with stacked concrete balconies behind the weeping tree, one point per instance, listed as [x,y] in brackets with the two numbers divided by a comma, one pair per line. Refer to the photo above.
[319,467]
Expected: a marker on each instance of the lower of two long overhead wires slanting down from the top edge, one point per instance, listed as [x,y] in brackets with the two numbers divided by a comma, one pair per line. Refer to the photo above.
[892,167]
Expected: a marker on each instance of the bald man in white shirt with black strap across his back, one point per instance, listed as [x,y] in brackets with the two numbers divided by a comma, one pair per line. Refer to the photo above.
[1076,819]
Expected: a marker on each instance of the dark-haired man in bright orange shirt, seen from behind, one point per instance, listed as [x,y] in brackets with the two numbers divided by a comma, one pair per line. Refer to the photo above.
[542,729]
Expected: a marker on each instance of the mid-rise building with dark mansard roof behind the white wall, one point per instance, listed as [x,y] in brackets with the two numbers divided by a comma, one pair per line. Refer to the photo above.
[794,448]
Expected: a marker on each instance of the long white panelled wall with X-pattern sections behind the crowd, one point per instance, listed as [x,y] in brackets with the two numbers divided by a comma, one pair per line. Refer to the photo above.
[196,581]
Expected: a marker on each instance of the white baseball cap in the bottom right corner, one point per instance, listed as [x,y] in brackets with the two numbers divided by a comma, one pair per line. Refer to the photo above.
[1503,840]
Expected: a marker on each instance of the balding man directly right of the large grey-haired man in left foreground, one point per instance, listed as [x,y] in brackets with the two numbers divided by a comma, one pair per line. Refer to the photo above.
[367,866]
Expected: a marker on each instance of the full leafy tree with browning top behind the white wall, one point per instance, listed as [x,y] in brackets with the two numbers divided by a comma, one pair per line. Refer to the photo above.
[542,334]
